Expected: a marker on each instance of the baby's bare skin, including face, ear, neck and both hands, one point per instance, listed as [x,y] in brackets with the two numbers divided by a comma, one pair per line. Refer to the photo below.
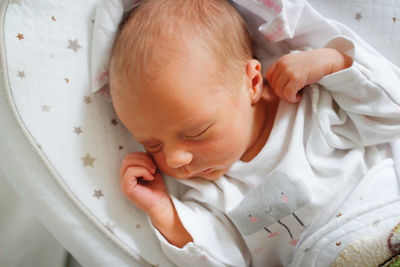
[192,125]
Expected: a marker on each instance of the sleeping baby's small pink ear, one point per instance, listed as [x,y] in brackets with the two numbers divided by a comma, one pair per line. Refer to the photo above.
[254,80]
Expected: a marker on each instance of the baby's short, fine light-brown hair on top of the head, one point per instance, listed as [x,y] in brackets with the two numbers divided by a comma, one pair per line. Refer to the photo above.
[149,34]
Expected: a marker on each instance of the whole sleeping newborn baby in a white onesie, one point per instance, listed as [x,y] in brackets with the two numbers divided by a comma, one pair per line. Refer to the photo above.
[268,158]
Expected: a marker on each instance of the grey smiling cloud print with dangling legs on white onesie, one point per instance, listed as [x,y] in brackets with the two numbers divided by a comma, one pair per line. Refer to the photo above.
[279,196]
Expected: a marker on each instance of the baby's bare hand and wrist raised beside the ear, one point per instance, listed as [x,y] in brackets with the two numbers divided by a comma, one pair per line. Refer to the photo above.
[292,72]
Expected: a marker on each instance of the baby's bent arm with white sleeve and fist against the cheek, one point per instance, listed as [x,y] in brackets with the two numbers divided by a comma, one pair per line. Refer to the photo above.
[215,240]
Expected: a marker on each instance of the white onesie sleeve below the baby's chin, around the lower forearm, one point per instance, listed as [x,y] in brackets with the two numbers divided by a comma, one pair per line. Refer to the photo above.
[216,242]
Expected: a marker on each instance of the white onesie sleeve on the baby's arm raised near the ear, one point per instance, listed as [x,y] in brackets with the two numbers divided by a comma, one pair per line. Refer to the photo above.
[360,105]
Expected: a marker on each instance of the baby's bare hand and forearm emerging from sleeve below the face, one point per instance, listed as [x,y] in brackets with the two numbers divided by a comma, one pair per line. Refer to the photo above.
[144,186]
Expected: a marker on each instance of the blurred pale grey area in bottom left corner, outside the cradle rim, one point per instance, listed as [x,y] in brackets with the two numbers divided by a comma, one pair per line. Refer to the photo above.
[23,239]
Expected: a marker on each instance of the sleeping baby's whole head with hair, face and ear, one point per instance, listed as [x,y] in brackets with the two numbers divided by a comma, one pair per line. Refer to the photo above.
[184,83]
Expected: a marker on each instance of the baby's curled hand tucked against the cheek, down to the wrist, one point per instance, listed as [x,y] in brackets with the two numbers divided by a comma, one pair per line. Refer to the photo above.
[141,183]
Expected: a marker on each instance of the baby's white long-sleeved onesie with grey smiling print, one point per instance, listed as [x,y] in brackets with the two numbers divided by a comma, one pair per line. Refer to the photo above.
[325,160]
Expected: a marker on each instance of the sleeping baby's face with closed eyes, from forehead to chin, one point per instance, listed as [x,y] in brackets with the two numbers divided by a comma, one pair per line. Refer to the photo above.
[192,124]
